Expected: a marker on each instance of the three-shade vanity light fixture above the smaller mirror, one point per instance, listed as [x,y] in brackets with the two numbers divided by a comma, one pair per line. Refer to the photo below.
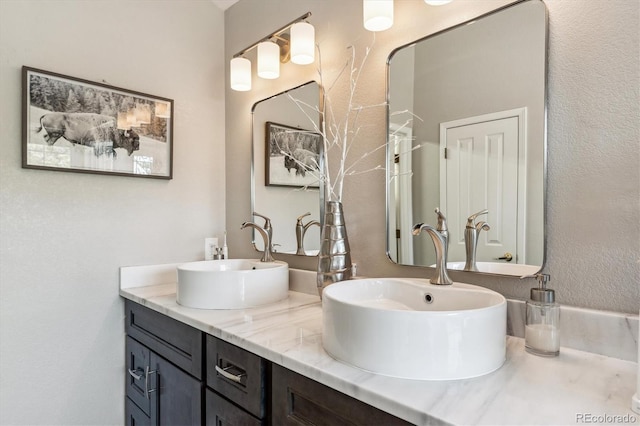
[296,38]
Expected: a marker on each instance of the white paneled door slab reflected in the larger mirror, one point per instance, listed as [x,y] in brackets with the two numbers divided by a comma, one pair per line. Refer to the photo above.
[482,173]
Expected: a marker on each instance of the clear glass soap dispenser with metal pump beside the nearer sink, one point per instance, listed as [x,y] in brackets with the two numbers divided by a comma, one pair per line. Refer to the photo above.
[542,327]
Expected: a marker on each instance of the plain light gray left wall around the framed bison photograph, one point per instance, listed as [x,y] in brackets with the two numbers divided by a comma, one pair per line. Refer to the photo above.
[63,236]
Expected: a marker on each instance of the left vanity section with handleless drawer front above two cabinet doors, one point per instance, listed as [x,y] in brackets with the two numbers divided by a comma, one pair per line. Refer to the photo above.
[164,369]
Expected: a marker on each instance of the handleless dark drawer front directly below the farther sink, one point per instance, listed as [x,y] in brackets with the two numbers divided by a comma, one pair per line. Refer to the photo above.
[177,342]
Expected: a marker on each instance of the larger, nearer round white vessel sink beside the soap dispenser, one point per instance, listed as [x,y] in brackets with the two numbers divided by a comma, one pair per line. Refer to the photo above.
[412,329]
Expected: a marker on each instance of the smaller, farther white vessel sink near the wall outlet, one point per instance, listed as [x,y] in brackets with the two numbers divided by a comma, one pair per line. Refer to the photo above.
[231,283]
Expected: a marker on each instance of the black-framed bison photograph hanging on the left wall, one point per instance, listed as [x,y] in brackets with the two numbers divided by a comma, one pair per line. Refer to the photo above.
[75,125]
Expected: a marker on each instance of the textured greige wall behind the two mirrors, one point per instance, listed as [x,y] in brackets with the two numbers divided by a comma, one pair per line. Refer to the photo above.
[593,230]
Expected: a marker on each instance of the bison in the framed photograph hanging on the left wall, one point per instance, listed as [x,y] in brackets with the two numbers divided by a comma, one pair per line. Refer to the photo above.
[88,129]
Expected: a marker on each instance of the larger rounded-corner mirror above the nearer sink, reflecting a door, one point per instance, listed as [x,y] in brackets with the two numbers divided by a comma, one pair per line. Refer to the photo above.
[467,132]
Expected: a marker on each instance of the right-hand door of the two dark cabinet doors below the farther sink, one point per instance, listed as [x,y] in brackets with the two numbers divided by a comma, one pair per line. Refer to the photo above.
[178,396]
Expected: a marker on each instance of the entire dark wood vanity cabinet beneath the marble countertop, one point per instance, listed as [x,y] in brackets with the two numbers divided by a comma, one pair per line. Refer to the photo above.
[178,375]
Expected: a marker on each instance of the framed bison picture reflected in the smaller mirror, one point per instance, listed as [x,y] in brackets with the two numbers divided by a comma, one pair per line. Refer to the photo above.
[292,156]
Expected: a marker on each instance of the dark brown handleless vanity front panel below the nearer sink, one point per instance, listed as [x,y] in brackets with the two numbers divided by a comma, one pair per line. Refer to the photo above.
[297,400]
